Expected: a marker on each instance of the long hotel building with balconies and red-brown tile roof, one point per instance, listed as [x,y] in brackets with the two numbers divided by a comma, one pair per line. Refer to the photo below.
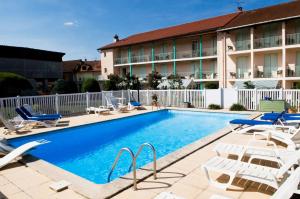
[261,46]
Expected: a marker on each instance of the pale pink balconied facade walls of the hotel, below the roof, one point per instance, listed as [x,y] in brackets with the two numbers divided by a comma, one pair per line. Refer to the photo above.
[252,42]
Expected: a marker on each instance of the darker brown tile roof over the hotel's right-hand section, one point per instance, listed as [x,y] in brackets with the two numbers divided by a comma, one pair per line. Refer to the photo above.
[276,12]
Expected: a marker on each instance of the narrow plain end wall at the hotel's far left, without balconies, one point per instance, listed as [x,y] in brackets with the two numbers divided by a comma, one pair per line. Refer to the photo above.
[107,63]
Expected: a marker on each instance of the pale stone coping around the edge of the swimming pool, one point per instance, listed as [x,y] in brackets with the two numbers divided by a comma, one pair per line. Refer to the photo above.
[90,189]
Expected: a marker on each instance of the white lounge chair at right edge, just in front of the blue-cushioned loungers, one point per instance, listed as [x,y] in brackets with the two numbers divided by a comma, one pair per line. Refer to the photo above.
[291,138]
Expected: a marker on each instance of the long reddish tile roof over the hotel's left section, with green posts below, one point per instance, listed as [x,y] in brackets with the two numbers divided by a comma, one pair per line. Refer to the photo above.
[201,26]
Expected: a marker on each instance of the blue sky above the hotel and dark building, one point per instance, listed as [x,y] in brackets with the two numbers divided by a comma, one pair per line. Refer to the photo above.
[79,27]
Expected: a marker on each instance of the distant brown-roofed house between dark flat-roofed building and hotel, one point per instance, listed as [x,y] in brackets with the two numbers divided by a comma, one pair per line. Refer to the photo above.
[78,70]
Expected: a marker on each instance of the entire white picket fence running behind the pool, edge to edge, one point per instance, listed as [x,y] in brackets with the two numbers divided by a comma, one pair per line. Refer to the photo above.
[72,104]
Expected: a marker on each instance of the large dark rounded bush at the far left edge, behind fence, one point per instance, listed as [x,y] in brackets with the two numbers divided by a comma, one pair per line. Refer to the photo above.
[12,84]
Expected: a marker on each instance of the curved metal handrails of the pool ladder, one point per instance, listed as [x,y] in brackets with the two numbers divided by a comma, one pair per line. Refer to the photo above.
[133,162]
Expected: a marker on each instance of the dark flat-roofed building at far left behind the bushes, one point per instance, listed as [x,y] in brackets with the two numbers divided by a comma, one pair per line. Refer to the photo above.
[41,67]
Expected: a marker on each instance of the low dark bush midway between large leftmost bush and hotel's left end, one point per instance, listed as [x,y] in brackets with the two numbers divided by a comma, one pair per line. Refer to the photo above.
[61,87]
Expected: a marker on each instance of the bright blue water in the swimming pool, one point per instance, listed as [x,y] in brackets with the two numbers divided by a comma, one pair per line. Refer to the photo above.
[89,150]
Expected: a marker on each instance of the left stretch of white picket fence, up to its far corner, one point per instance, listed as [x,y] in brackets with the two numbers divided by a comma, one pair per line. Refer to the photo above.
[65,104]
